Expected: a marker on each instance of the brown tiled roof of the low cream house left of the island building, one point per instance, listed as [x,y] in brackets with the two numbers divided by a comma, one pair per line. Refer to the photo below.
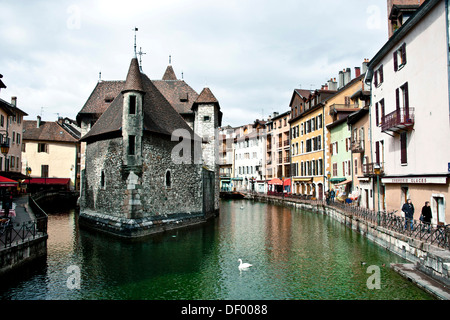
[47,131]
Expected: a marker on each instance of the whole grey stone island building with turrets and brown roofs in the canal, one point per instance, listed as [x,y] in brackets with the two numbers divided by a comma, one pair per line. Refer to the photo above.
[150,156]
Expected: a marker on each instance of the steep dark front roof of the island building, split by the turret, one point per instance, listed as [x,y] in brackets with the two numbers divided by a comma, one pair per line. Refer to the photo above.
[159,115]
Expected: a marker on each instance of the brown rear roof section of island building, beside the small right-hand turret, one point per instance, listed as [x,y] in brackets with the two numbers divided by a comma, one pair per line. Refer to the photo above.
[180,95]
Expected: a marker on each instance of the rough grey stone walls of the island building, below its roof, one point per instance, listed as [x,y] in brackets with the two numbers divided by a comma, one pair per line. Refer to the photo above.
[139,200]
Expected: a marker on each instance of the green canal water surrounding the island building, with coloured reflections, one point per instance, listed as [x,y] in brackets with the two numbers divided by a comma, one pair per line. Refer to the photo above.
[295,254]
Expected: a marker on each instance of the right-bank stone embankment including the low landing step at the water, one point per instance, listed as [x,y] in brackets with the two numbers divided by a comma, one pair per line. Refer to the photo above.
[430,264]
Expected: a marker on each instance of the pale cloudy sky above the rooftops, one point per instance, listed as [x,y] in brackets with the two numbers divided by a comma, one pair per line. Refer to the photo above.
[251,54]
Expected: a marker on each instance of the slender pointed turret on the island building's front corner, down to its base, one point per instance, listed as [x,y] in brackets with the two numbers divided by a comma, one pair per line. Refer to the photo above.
[132,136]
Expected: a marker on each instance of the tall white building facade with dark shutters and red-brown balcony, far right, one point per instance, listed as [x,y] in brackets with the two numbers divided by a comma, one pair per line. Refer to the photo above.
[410,114]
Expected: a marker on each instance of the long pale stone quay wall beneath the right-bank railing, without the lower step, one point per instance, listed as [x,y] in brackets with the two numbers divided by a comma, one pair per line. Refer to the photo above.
[429,259]
